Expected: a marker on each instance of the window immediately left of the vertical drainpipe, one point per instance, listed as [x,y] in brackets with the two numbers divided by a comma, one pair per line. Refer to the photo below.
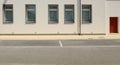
[69,14]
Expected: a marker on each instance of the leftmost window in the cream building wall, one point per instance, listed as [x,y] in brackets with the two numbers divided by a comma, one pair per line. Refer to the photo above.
[8,13]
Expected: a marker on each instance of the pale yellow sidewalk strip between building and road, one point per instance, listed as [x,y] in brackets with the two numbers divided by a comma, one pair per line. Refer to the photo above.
[58,37]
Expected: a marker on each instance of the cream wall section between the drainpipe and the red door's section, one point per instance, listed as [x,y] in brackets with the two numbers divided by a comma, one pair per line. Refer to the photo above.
[98,18]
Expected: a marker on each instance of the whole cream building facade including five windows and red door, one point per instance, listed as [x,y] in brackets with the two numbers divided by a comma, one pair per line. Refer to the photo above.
[59,16]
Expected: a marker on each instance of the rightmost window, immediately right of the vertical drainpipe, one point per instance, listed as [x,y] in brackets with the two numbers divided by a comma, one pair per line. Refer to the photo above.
[86,13]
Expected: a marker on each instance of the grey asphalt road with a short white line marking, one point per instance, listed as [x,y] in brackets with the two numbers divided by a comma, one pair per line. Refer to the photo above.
[60,52]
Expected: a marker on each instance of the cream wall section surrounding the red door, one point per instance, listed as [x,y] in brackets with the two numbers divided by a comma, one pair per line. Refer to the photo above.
[113,10]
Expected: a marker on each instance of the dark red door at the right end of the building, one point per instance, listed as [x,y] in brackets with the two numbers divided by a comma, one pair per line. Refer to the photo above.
[113,24]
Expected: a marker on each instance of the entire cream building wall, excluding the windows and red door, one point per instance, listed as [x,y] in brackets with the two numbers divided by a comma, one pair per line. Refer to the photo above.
[101,11]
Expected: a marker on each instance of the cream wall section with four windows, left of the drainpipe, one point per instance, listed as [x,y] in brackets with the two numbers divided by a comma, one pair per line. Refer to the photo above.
[41,26]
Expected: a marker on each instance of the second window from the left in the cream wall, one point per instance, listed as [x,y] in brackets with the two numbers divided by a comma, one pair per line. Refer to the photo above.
[30,14]
